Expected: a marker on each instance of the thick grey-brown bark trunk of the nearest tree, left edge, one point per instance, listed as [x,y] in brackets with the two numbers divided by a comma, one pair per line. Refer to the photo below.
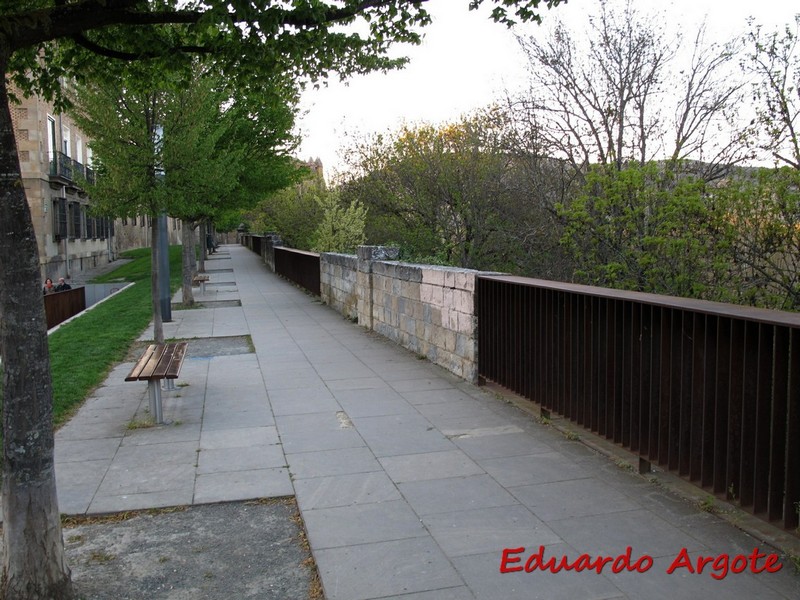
[34,563]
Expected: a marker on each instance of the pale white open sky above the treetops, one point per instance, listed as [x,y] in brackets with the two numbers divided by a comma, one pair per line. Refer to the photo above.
[466,61]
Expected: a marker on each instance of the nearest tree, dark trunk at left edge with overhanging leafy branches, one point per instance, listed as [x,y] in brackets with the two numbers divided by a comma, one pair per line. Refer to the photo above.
[44,41]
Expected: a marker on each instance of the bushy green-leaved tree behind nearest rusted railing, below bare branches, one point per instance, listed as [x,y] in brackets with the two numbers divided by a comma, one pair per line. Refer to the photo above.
[649,229]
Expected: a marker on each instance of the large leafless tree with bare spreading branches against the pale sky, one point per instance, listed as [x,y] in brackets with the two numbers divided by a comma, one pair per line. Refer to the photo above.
[618,95]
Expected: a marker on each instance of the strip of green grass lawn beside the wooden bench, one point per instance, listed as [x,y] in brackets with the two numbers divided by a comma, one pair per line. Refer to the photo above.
[83,351]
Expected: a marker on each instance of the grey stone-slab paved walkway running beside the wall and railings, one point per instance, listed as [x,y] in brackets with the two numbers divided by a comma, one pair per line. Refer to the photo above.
[410,482]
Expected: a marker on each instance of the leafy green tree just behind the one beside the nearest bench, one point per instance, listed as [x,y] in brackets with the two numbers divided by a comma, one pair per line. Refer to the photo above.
[222,151]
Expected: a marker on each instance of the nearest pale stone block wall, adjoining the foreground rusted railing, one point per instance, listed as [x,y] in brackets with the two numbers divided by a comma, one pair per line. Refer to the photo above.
[426,309]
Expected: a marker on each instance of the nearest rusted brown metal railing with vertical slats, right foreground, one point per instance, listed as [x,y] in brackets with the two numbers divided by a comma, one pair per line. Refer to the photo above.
[707,390]
